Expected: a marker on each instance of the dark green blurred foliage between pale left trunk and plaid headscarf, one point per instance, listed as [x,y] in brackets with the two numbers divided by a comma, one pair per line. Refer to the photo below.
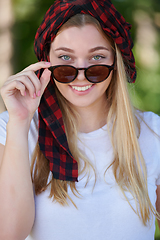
[28,16]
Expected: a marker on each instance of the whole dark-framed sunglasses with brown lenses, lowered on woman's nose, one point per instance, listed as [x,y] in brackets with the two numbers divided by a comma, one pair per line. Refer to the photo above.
[68,73]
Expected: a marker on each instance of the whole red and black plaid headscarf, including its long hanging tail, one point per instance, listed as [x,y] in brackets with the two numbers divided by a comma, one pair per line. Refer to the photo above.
[52,137]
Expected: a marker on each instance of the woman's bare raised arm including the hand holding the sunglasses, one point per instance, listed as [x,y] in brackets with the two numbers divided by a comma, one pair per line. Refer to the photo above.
[21,94]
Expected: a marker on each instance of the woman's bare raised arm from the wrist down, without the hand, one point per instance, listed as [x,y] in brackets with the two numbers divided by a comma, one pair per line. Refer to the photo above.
[16,193]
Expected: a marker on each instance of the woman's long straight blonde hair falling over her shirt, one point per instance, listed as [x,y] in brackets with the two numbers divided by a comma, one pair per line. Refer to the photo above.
[128,165]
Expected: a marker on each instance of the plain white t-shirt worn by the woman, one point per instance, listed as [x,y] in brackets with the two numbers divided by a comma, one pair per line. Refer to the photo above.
[102,212]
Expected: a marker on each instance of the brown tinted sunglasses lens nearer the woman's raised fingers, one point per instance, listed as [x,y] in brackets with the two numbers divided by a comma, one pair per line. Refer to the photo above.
[64,74]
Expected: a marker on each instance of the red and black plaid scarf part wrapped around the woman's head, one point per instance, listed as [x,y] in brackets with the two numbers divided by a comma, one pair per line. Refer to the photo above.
[112,23]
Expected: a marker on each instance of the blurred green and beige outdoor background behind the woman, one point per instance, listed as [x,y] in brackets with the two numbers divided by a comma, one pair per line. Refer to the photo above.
[144,15]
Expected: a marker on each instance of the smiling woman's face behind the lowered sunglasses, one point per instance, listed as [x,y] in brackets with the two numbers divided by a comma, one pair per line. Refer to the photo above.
[82,47]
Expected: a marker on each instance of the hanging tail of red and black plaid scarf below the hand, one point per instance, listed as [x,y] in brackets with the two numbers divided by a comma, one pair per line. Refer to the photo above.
[52,137]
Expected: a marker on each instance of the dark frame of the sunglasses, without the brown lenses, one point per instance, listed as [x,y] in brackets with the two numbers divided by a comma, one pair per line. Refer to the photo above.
[110,68]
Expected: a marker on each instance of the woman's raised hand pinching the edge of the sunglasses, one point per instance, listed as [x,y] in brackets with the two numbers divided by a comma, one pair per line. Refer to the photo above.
[22,92]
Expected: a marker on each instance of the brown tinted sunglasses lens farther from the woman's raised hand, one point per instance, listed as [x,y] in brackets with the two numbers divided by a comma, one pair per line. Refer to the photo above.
[97,74]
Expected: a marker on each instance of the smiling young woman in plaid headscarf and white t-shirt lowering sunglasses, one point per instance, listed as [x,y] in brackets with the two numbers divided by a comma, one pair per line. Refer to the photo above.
[86,164]
